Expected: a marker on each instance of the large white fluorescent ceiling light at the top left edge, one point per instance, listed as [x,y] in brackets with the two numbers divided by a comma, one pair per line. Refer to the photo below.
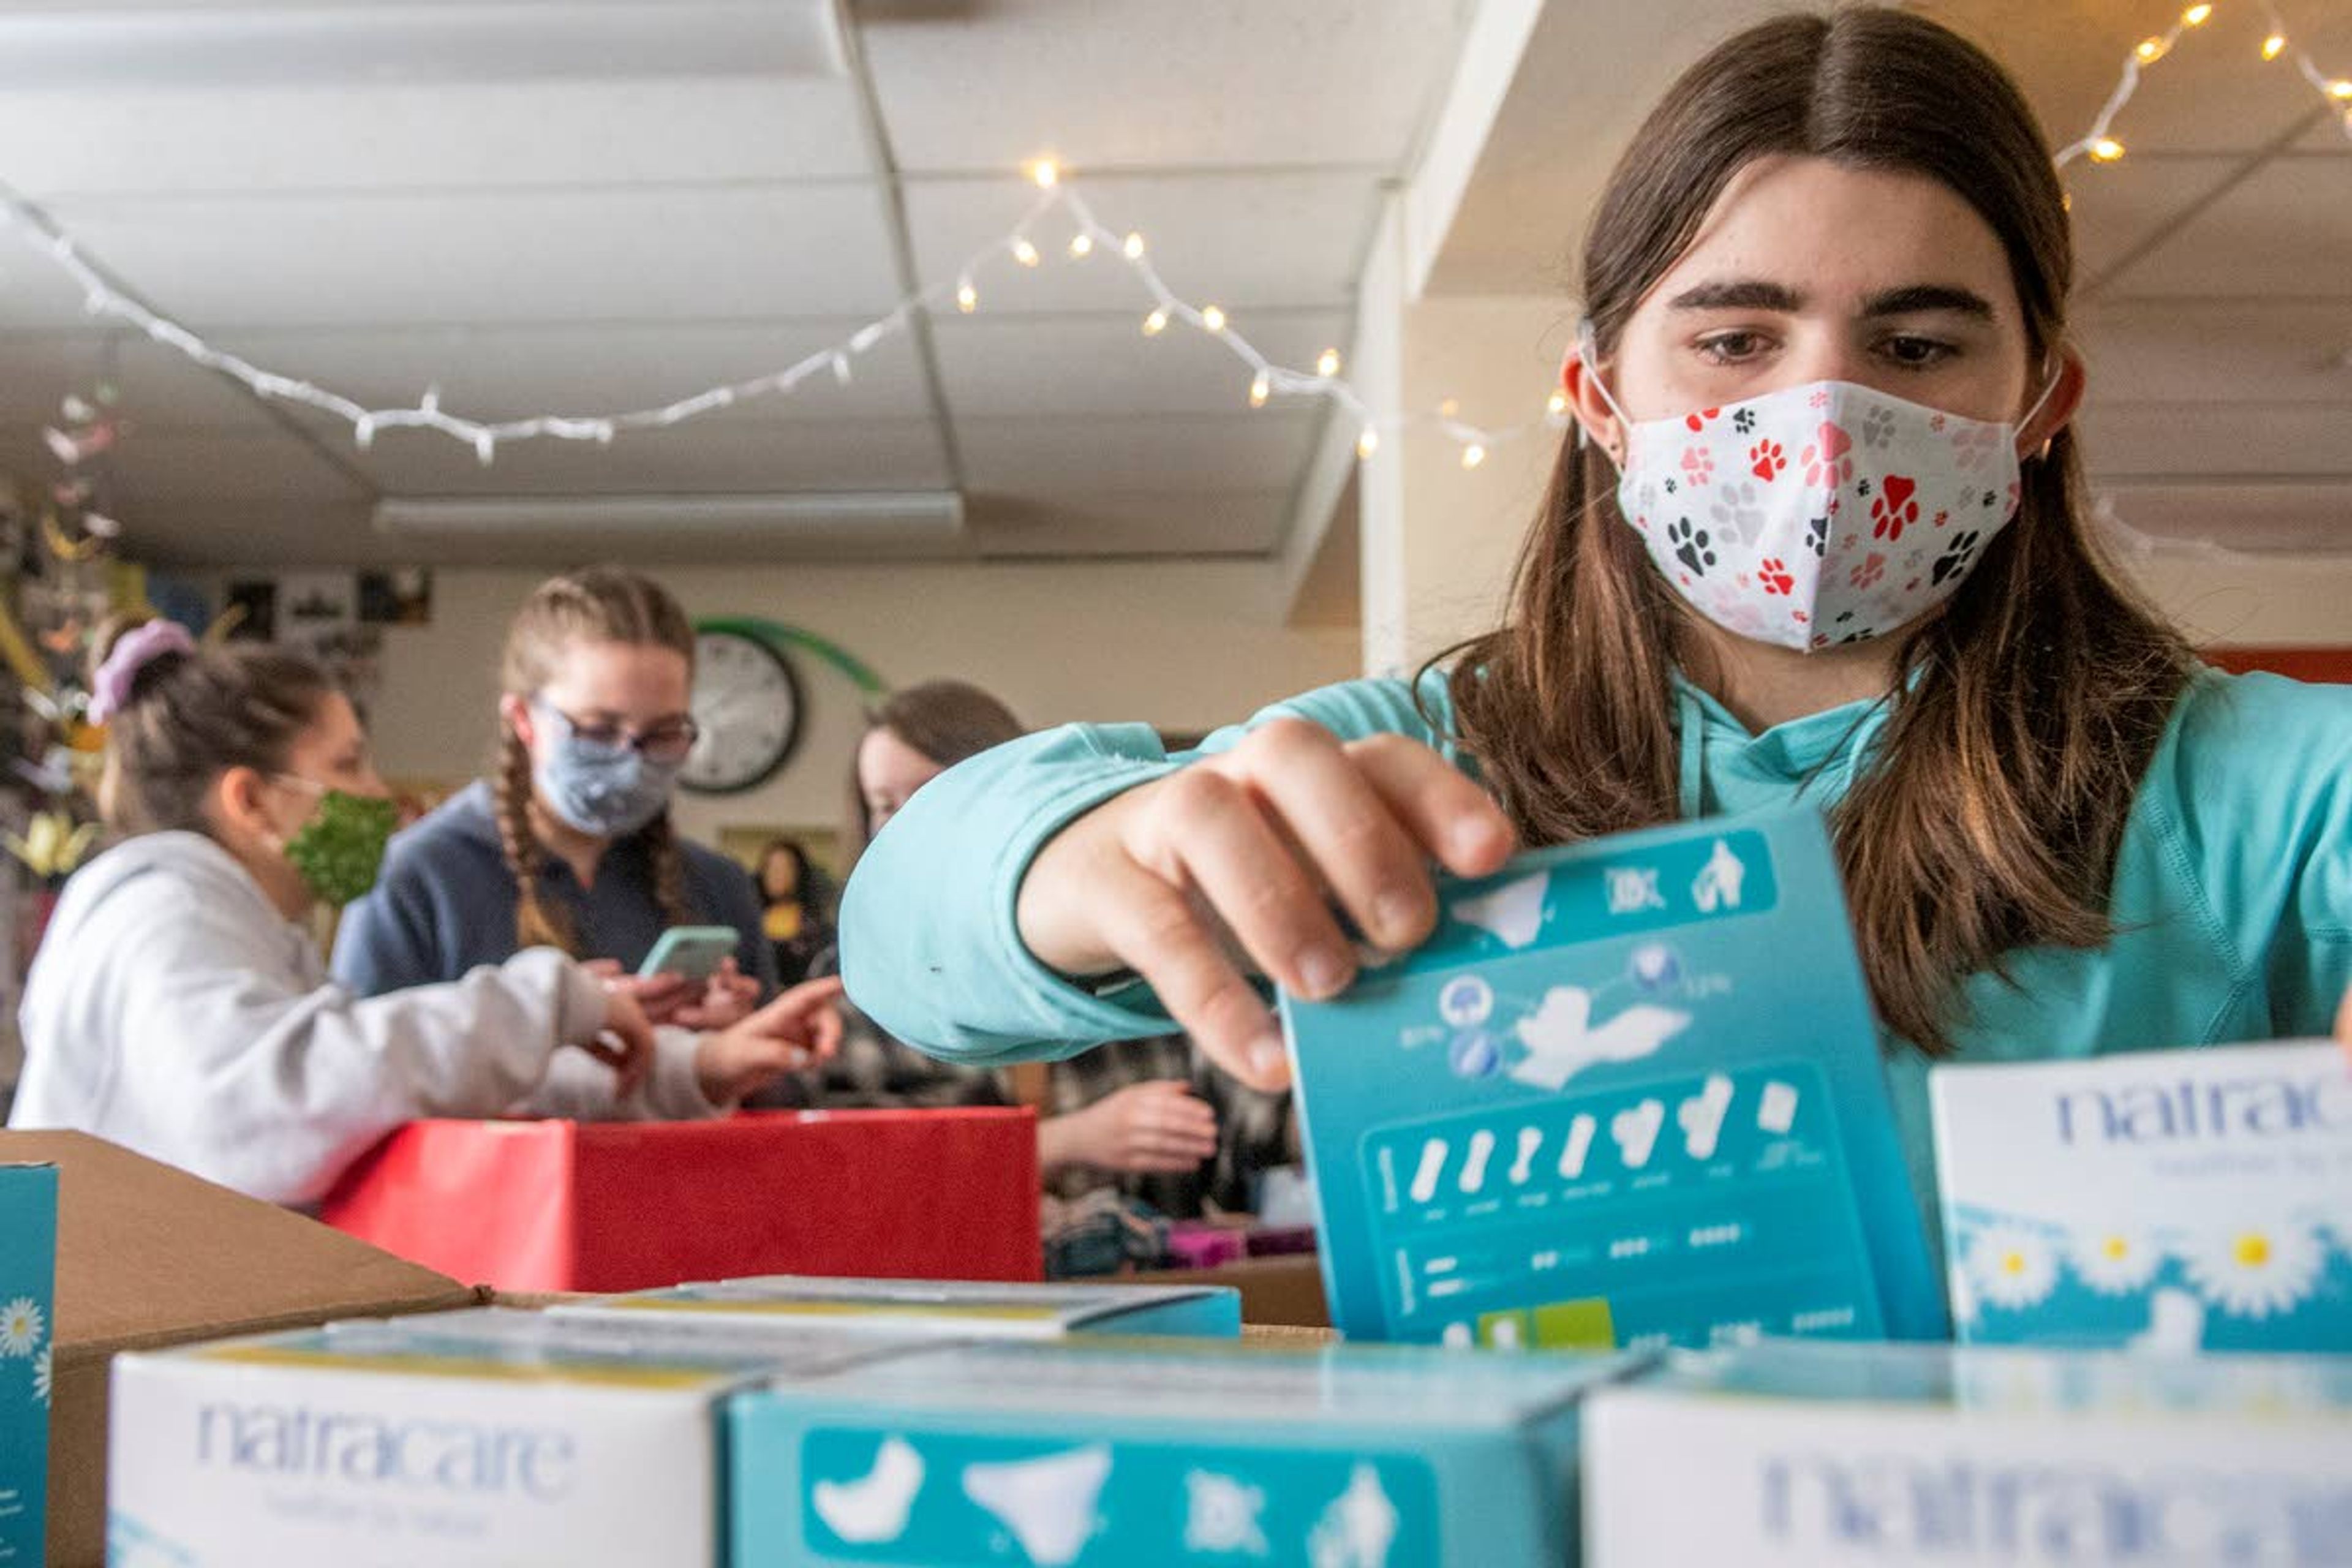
[483,41]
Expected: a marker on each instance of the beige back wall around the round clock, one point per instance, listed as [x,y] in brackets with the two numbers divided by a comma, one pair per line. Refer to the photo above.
[1175,645]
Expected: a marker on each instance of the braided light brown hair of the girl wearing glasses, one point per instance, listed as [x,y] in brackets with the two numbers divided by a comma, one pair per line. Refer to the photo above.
[594,605]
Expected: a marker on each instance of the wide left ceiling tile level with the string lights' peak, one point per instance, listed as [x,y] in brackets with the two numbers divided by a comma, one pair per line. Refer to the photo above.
[509,257]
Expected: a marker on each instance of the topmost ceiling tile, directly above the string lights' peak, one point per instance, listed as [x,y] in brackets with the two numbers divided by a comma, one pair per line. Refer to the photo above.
[1142,83]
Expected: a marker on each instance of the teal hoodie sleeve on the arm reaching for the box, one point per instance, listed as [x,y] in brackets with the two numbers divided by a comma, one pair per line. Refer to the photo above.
[930,946]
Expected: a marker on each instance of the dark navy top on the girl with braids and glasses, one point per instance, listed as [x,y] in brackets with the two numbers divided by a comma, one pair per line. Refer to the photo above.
[448,904]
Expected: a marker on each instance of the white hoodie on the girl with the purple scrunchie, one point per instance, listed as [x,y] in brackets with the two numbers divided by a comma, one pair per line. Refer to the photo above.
[175,1012]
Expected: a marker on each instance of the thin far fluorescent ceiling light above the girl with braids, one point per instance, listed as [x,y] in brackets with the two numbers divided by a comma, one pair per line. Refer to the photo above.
[789,516]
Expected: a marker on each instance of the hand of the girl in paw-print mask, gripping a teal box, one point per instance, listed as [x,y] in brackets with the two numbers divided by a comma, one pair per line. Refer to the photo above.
[1250,850]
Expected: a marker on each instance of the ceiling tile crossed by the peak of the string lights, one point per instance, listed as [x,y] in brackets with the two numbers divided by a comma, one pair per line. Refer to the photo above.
[1220,239]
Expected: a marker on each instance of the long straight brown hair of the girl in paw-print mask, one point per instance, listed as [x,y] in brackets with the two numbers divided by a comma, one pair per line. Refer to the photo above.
[2000,786]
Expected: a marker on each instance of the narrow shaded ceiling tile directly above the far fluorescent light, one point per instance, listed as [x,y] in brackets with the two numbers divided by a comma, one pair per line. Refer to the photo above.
[709,457]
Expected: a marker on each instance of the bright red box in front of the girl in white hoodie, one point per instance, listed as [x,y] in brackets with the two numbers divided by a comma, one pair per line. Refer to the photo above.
[641,1205]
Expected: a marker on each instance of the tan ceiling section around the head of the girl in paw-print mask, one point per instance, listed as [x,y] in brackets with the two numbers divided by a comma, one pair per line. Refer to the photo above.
[2214,288]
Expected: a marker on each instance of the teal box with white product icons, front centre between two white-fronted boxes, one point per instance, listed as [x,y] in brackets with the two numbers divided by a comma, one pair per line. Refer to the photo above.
[1161,1454]
